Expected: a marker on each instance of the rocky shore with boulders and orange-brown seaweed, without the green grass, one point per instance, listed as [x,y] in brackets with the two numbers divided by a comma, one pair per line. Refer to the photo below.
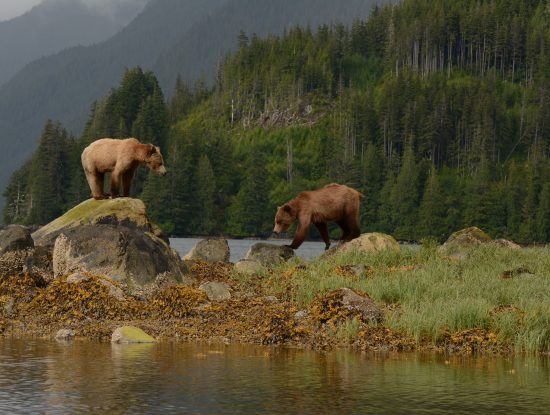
[66,289]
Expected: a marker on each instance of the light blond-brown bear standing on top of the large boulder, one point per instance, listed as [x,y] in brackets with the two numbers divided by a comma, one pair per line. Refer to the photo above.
[121,158]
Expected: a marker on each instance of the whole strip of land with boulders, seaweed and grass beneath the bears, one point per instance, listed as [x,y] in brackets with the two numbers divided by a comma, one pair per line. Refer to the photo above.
[103,266]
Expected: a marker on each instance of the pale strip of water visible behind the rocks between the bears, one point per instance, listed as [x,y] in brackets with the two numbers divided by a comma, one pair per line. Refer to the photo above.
[239,247]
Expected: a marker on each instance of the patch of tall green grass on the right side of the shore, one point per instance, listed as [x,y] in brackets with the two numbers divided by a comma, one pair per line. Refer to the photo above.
[428,294]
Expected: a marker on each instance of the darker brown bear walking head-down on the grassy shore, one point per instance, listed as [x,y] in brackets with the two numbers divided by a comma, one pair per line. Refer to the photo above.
[332,203]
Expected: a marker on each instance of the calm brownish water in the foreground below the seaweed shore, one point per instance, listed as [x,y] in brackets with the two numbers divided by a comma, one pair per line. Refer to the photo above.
[83,377]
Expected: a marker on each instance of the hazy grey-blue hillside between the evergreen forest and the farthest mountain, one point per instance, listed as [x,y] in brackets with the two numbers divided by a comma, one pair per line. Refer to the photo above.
[172,37]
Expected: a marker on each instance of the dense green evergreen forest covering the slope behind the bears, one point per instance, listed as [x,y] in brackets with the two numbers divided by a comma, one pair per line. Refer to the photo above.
[437,111]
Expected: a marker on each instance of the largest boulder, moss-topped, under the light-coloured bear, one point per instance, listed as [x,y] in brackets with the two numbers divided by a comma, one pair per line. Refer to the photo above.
[112,238]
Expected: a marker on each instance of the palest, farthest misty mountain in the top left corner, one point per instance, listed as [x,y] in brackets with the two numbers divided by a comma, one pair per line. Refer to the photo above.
[54,25]
